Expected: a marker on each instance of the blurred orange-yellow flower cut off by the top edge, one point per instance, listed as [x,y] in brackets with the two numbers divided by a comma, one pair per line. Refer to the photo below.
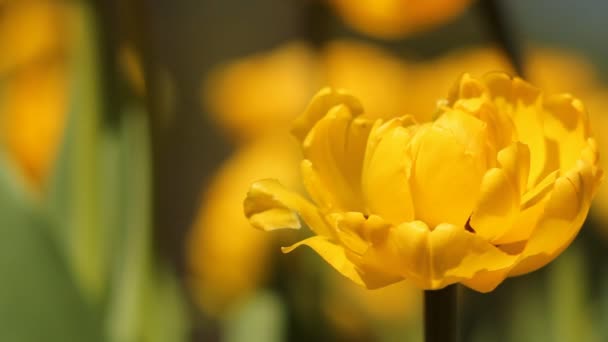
[396,18]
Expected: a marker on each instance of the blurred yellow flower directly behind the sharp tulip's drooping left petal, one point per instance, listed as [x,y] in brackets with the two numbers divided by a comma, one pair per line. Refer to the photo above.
[220,237]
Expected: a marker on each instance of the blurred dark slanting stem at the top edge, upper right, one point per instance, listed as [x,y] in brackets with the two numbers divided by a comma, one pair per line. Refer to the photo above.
[501,29]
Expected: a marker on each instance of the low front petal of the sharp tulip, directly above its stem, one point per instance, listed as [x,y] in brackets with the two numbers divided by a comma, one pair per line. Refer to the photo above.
[443,256]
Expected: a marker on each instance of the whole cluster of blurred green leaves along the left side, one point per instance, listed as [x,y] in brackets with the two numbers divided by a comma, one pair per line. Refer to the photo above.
[78,264]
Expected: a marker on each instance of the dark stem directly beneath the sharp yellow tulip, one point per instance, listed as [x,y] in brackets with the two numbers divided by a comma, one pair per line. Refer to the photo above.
[441,315]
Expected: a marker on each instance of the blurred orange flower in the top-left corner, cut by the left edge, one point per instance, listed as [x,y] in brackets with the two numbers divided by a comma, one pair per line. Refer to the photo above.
[33,76]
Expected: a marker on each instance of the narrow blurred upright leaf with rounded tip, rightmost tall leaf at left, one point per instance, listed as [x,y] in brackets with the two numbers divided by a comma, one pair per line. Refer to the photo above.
[133,262]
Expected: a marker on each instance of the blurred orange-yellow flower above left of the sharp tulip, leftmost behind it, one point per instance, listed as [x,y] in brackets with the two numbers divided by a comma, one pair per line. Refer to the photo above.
[236,93]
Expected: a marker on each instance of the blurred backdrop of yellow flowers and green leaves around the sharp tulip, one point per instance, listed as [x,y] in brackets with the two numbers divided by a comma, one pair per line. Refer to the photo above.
[130,131]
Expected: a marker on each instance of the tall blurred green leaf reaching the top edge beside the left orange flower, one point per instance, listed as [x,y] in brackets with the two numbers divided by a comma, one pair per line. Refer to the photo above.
[75,190]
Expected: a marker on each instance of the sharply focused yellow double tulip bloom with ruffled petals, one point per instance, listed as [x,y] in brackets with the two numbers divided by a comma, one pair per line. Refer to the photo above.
[498,185]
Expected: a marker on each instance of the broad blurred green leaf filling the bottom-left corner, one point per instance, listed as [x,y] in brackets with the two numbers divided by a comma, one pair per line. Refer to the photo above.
[39,300]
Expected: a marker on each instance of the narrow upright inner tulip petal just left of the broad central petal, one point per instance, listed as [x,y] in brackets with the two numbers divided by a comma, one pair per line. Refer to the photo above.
[386,172]
